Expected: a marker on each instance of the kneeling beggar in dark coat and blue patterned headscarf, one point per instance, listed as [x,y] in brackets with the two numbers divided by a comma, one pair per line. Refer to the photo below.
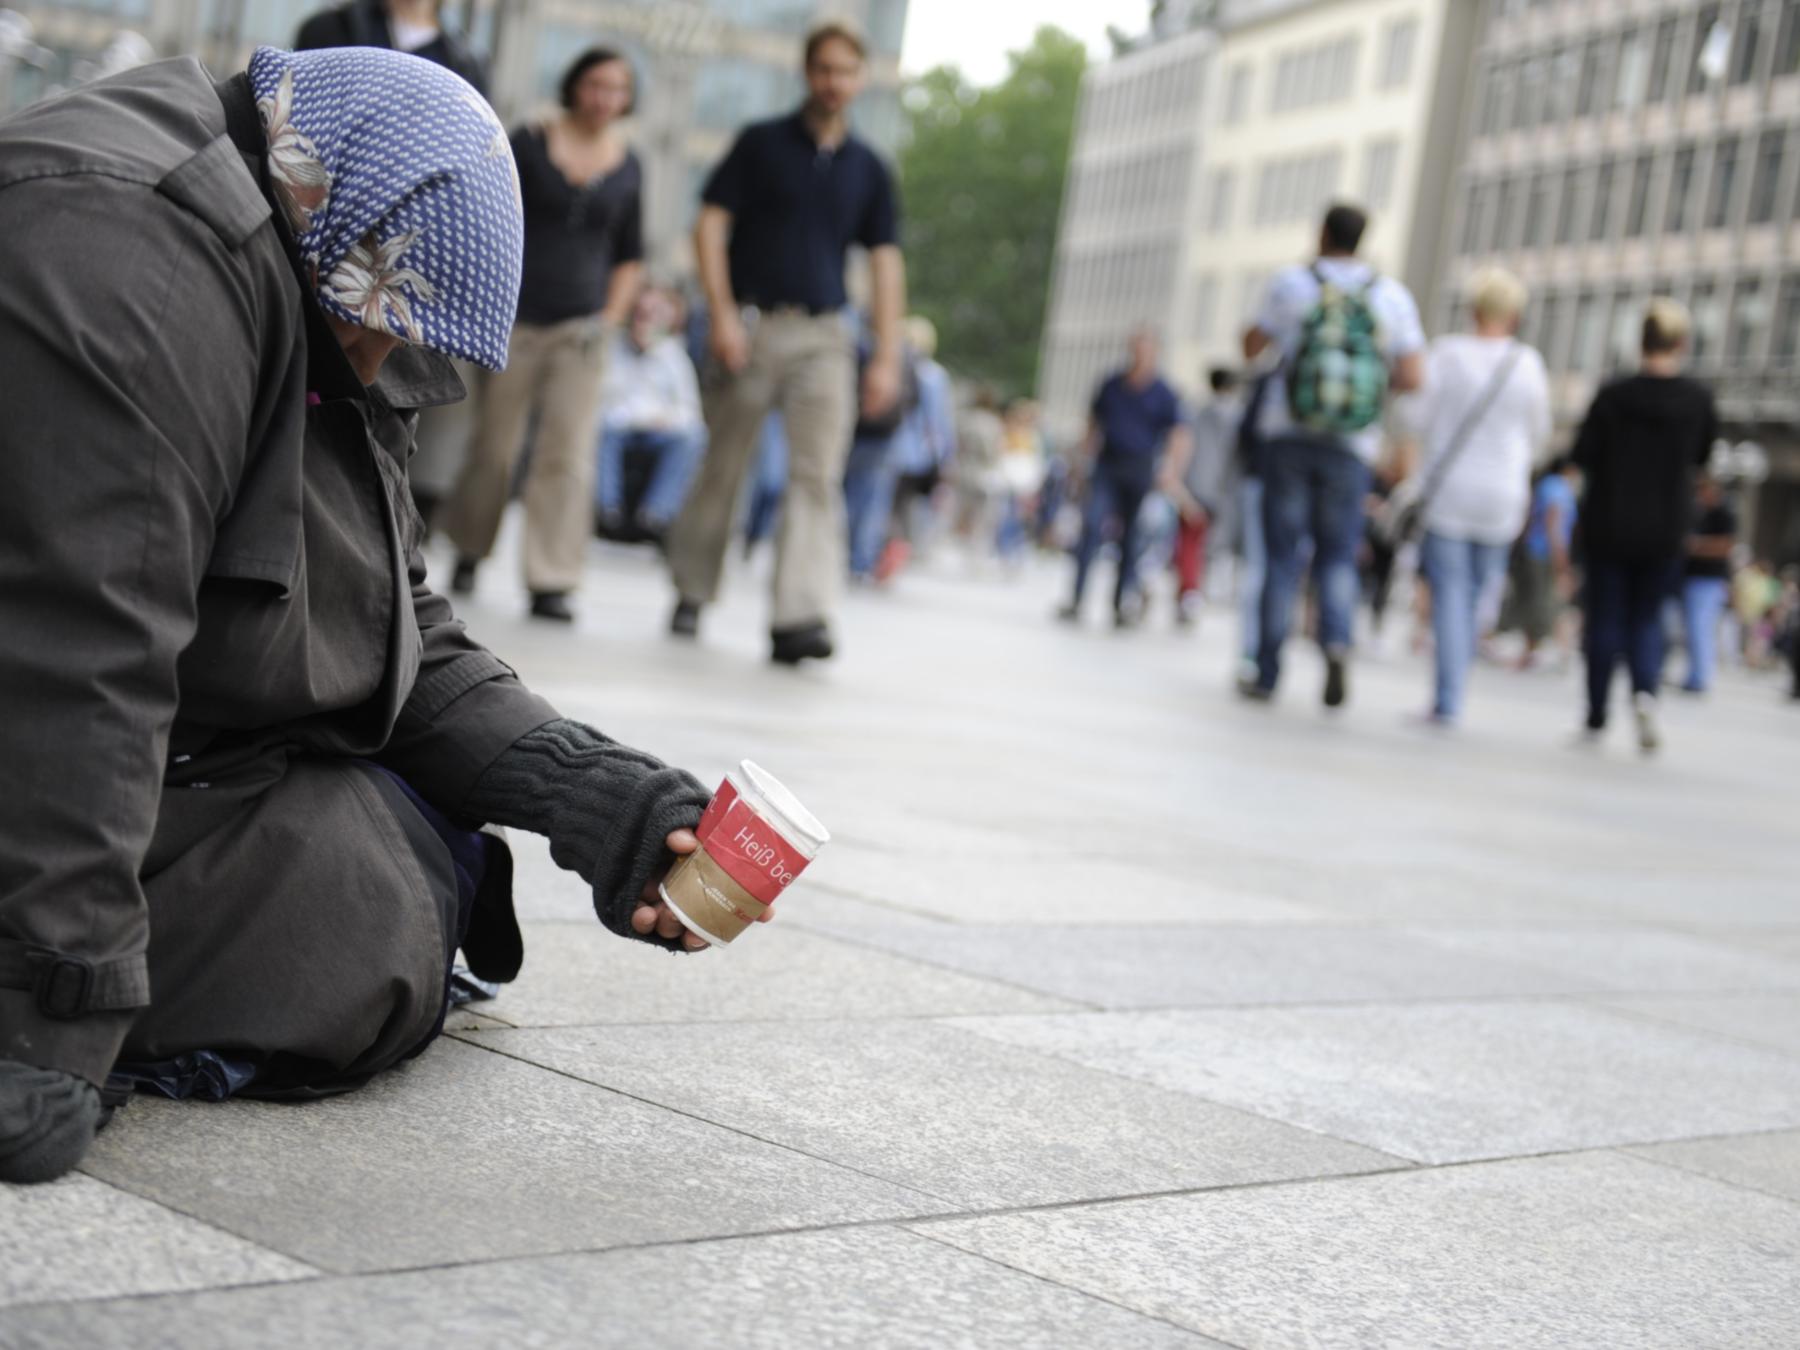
[247,748]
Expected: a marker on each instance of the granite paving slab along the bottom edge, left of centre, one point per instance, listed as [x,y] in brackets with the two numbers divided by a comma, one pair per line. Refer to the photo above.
[874,1288]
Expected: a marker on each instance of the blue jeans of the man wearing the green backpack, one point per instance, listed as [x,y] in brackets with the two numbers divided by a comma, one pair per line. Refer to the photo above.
[1309,489]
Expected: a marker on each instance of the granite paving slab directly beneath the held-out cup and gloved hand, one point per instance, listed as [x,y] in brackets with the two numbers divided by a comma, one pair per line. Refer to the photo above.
[580,975]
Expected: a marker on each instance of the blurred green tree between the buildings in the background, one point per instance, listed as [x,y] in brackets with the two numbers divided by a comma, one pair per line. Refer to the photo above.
[982,177]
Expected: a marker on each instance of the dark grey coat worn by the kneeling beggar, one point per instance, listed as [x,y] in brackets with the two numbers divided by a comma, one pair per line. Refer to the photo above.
[211,606]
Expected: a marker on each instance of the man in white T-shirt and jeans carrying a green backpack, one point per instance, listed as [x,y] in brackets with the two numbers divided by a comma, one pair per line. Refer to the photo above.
[1338,339]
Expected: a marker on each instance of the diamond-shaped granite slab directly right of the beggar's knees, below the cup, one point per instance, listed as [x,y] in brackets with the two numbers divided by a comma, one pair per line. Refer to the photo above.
[940,1111]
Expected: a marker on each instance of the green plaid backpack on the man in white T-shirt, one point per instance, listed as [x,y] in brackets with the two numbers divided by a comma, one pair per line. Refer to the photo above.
[1338,379]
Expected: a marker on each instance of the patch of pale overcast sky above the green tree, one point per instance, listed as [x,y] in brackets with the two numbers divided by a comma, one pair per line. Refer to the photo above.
[976,35]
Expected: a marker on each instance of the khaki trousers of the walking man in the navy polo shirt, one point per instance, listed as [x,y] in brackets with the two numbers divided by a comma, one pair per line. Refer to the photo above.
[807,368]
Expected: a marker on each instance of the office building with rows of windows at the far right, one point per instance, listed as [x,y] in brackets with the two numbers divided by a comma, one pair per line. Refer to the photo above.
[1628,148]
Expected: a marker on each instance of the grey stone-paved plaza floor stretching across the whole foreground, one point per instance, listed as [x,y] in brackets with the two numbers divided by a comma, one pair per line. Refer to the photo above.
[1119,1014]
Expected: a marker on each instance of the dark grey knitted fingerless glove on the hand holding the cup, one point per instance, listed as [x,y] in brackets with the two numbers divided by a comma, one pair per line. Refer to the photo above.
[604,807]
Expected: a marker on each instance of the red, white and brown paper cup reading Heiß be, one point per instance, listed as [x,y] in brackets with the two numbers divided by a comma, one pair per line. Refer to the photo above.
[755,840]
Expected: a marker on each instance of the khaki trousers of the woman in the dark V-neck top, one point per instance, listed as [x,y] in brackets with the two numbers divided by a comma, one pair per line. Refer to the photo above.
[552,370]
